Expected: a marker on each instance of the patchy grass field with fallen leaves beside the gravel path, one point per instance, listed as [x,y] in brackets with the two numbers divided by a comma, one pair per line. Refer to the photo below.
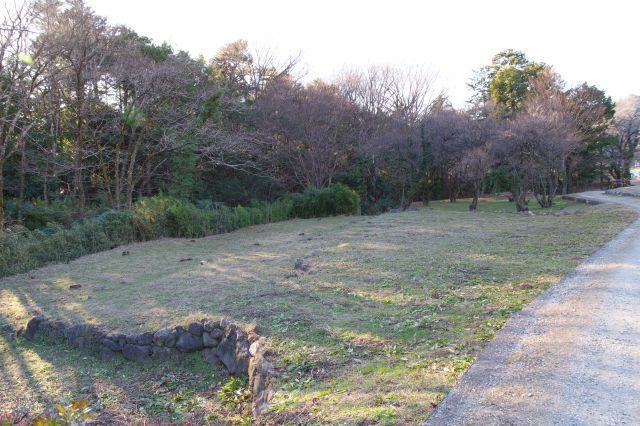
[392,310]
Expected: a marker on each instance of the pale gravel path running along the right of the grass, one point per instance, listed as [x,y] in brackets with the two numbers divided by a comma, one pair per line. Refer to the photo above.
[572,357]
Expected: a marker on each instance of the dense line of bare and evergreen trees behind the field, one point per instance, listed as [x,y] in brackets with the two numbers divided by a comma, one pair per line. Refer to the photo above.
[97,114]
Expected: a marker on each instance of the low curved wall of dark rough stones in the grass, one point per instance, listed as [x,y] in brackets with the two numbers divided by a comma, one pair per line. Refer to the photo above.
[241,352]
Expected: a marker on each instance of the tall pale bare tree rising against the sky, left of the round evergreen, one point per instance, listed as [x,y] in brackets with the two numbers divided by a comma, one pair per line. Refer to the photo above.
[392,103]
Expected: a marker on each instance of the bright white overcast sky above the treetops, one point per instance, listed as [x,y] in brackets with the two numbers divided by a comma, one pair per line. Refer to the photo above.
[592,41]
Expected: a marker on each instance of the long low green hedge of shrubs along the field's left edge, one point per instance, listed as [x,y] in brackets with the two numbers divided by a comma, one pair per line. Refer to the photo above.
[22,249]
